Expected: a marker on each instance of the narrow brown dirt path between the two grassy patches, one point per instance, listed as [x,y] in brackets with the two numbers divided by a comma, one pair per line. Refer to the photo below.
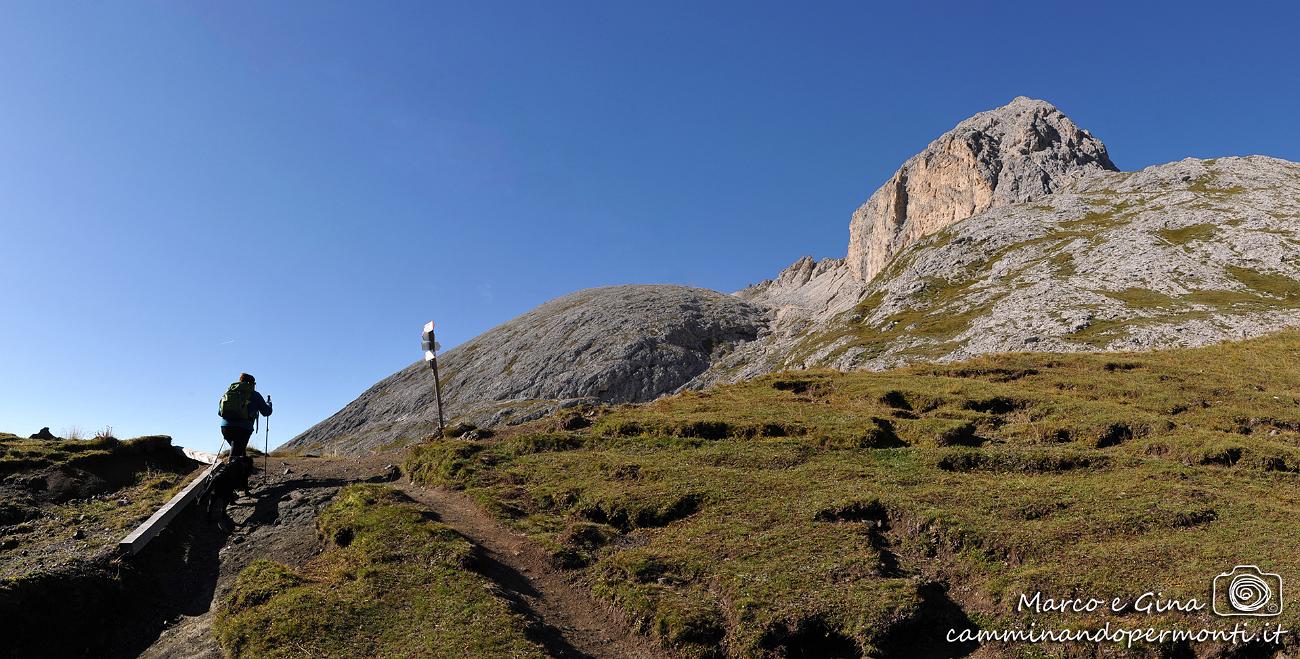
[573,623]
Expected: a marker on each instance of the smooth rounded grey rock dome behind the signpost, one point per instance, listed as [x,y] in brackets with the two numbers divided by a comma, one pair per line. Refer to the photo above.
[616,345]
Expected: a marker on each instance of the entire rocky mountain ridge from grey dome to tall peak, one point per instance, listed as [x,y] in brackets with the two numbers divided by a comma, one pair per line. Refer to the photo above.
[1029,241]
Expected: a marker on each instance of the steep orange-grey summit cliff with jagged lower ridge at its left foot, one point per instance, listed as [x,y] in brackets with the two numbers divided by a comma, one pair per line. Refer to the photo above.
[1021,151]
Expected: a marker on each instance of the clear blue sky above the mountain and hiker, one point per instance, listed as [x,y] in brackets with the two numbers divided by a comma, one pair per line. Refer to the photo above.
[189,190]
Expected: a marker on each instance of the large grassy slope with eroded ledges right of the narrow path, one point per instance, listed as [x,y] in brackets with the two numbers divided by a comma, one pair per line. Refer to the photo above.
[822,509]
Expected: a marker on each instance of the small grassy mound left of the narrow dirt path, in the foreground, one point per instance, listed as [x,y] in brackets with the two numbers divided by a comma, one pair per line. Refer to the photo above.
[391,584]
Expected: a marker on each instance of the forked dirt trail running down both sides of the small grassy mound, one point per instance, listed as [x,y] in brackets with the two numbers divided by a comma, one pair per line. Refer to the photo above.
[280,524]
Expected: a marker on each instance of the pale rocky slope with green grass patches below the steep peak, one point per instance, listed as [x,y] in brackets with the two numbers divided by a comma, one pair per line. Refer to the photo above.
[1177,255]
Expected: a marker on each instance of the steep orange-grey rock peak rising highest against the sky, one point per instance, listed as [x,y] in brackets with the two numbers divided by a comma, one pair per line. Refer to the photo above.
[1019,153]
